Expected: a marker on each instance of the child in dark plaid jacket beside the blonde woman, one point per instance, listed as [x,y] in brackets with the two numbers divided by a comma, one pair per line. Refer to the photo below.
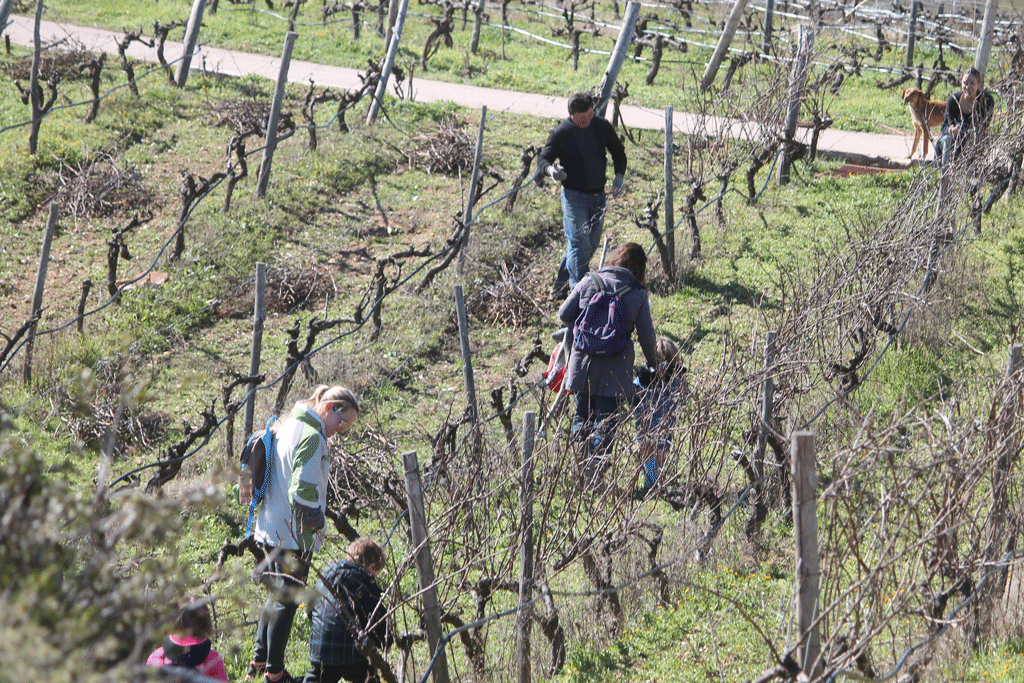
[350,609]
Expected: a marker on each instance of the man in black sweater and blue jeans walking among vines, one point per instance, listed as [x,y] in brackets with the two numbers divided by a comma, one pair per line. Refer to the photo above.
[576,155]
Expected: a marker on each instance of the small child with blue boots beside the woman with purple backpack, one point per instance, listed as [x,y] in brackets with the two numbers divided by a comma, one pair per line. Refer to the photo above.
[659,392]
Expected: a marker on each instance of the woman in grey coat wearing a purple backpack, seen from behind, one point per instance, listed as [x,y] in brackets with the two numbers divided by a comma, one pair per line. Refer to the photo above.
[600,373]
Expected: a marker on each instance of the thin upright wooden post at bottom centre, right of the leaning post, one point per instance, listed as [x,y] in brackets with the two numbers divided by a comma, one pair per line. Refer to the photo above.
[526,547]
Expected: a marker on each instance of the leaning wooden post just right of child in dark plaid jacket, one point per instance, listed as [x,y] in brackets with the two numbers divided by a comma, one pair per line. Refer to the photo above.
[424,564]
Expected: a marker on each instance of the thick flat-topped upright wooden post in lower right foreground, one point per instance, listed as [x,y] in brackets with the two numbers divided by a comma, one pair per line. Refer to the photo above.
[805,528]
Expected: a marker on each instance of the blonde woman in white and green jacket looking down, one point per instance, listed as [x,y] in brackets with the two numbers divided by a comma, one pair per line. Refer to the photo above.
[291,521]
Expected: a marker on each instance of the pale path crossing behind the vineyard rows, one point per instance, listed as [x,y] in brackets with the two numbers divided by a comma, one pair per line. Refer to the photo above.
[857,148]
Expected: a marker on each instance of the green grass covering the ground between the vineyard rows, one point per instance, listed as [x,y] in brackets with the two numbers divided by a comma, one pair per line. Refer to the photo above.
[174,351]
